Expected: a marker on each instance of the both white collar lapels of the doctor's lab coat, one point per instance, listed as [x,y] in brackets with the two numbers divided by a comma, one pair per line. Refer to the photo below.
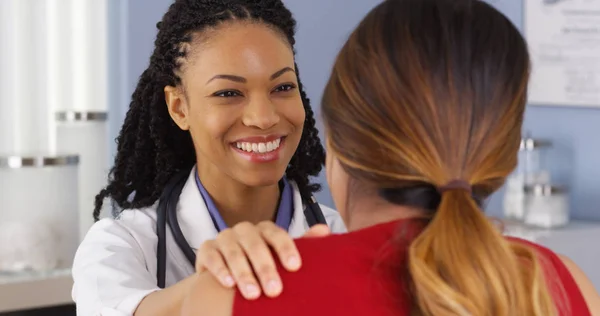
[197,225]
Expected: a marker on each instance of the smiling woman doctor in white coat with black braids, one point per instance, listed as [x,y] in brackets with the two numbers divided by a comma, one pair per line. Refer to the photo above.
[221,113]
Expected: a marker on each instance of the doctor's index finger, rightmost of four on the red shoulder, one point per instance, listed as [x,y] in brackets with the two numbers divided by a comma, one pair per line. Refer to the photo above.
[282,244]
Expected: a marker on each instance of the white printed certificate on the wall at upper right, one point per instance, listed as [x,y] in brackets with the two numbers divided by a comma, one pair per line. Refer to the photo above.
[564,42]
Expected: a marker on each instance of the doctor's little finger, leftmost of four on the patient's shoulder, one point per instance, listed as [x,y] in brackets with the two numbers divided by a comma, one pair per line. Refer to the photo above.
[208,257]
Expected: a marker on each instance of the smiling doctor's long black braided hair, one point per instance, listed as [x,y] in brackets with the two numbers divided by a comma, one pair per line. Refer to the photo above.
[151,148]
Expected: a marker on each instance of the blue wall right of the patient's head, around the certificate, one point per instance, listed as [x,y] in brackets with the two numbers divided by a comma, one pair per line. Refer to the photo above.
[575,133]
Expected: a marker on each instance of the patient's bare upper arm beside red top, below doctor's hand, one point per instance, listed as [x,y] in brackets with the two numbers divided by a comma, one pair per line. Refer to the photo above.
[207,297]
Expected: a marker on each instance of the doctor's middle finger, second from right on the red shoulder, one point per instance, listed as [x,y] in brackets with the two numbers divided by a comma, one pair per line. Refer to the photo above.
[260,257]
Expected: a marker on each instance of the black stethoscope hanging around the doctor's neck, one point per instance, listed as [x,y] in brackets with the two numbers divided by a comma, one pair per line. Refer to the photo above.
[167,214]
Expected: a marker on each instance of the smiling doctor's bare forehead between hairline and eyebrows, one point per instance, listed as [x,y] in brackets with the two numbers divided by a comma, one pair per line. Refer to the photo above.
[237,48]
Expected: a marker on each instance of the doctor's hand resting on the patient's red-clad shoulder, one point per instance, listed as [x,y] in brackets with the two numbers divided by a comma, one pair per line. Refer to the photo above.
[239,254]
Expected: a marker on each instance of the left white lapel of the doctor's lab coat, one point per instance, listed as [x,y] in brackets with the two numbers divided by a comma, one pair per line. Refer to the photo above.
[195,221]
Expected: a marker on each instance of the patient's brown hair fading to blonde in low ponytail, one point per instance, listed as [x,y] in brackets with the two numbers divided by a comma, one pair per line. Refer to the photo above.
[429,91]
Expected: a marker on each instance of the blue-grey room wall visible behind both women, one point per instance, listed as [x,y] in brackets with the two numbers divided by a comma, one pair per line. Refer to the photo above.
[323,25]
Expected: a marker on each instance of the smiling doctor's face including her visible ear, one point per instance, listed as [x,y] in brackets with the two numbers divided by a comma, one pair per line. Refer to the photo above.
[240,101]
